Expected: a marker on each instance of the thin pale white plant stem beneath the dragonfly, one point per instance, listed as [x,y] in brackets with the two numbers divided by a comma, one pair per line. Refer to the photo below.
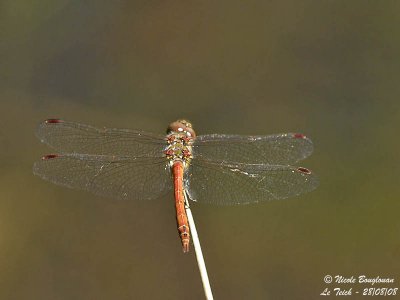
[199,253]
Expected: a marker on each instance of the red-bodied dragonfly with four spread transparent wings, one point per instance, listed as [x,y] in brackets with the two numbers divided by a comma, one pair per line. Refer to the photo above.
[220,169]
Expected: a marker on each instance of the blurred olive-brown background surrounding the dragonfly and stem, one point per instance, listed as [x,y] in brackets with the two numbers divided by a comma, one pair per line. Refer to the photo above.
[329,69]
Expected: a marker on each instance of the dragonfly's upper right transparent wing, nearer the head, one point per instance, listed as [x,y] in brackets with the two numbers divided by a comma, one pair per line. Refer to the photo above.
[276,149]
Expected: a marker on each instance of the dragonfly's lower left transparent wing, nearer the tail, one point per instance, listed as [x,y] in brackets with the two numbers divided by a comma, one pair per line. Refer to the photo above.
[116,177]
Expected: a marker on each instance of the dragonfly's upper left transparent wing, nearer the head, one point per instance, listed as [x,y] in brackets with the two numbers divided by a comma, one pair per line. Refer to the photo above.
[70,137]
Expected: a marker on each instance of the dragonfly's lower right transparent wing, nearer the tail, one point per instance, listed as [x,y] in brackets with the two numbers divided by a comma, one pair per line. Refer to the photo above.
[230,184]
